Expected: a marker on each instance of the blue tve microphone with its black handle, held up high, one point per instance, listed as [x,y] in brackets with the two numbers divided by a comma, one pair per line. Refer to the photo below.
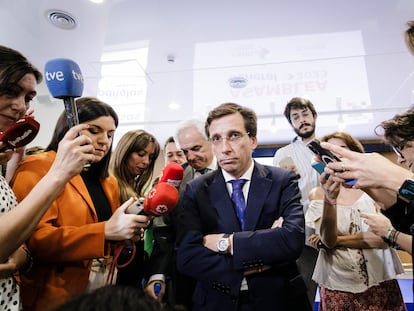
[65,81]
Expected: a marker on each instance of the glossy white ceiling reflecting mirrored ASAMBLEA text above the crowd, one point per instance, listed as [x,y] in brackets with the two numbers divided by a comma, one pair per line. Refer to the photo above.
[349,57]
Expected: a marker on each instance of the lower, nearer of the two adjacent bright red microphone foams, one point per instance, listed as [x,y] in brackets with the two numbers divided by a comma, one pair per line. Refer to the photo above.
[161,199]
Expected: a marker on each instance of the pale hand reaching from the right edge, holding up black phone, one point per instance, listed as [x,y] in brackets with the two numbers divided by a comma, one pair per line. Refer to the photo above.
[371,170]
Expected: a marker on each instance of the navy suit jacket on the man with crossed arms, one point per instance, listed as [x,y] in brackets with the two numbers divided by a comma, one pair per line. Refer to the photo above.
[208,209]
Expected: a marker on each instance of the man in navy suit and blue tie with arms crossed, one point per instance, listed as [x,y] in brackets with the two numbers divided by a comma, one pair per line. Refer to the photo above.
[242,262]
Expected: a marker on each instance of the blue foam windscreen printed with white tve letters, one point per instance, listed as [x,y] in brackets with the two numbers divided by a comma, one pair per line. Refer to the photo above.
[63,78]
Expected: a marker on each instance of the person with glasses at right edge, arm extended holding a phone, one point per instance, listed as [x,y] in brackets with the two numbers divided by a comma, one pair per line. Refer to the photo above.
[386,182]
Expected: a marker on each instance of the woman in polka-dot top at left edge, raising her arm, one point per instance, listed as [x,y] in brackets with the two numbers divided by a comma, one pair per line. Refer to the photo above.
[18,81]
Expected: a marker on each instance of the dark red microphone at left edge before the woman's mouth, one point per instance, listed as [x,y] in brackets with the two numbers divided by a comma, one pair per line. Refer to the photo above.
[19,134]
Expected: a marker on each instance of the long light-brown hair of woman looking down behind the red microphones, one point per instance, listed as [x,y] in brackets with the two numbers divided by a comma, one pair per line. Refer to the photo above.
[132,141]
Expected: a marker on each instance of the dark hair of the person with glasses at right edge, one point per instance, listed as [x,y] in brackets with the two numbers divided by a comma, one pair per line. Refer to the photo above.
[400,129]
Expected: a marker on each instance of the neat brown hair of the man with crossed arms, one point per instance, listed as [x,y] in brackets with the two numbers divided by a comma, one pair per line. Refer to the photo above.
[249,116]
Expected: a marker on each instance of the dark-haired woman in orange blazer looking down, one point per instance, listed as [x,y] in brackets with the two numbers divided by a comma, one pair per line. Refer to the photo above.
[82,221]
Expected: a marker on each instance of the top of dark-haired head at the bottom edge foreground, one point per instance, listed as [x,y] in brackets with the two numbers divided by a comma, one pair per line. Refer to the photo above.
[112,297]
